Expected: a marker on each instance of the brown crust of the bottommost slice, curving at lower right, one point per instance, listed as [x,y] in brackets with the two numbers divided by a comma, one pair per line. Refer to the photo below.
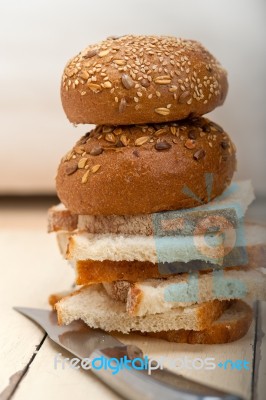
[223,330]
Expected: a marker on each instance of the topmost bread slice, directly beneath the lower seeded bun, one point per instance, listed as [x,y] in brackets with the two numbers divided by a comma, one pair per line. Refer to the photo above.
[237,198]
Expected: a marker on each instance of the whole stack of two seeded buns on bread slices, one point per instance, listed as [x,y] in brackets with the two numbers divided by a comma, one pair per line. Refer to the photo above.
[149,218]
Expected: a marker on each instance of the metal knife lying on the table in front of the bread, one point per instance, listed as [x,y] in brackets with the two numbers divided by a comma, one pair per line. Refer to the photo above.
[132,384]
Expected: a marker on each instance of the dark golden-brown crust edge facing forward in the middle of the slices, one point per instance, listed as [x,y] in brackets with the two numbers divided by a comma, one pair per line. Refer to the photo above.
[92,271]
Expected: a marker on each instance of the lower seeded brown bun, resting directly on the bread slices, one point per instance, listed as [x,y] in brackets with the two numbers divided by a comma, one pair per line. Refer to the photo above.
[142,169]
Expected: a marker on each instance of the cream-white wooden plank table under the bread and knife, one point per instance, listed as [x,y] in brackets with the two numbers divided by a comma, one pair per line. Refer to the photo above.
[31,269]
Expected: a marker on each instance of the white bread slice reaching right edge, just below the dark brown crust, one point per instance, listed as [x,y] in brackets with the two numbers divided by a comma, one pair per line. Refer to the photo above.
[160,295]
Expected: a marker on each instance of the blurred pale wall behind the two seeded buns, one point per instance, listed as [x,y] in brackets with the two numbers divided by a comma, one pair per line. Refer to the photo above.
[37,37]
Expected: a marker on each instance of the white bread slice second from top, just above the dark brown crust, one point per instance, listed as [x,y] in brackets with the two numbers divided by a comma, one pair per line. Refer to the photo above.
[100,247]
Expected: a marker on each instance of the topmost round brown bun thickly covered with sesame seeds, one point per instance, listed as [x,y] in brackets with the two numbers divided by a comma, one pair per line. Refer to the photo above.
[142,79]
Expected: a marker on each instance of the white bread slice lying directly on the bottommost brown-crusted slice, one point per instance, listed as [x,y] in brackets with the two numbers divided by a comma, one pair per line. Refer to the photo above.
[98,310]
